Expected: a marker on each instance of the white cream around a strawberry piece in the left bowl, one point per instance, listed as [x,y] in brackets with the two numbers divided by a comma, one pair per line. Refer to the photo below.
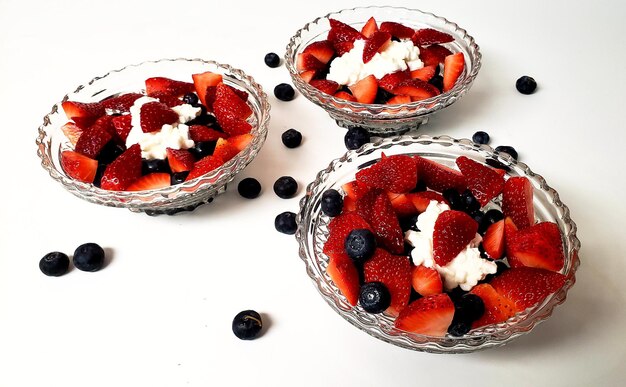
[154,144]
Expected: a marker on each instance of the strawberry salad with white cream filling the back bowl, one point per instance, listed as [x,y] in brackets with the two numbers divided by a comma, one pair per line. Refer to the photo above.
[386,63]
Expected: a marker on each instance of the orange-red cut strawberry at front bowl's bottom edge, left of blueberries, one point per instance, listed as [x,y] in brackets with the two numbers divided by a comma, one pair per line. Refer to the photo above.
[430,315]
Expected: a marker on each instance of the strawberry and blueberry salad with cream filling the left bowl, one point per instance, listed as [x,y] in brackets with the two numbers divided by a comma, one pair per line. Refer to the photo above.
[172,132]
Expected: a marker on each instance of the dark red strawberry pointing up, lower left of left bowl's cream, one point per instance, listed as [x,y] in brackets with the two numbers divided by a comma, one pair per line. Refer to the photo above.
[123,171]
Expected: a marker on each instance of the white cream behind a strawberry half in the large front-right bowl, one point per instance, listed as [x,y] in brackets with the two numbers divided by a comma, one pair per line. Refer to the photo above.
[465,270]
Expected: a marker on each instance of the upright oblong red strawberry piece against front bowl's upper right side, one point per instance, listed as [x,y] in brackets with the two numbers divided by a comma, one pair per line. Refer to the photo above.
[517,201]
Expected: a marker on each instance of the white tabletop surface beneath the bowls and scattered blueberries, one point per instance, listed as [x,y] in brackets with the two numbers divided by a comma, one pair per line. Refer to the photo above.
[159,314]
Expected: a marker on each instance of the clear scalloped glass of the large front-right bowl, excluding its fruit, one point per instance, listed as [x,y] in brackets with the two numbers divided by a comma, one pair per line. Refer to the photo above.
[312,233]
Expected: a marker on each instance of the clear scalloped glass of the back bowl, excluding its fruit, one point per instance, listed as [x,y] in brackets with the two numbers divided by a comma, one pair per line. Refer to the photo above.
[384,120]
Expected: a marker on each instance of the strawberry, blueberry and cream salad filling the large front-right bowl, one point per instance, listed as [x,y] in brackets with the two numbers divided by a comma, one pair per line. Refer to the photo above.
[442,250]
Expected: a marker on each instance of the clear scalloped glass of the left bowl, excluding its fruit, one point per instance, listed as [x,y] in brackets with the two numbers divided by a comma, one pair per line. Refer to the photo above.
[185,196]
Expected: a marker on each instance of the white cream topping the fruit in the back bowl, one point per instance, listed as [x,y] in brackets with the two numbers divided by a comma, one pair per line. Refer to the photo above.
[349,68]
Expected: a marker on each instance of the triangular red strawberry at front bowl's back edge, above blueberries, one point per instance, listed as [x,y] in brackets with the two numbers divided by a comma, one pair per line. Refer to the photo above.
[484,182]
